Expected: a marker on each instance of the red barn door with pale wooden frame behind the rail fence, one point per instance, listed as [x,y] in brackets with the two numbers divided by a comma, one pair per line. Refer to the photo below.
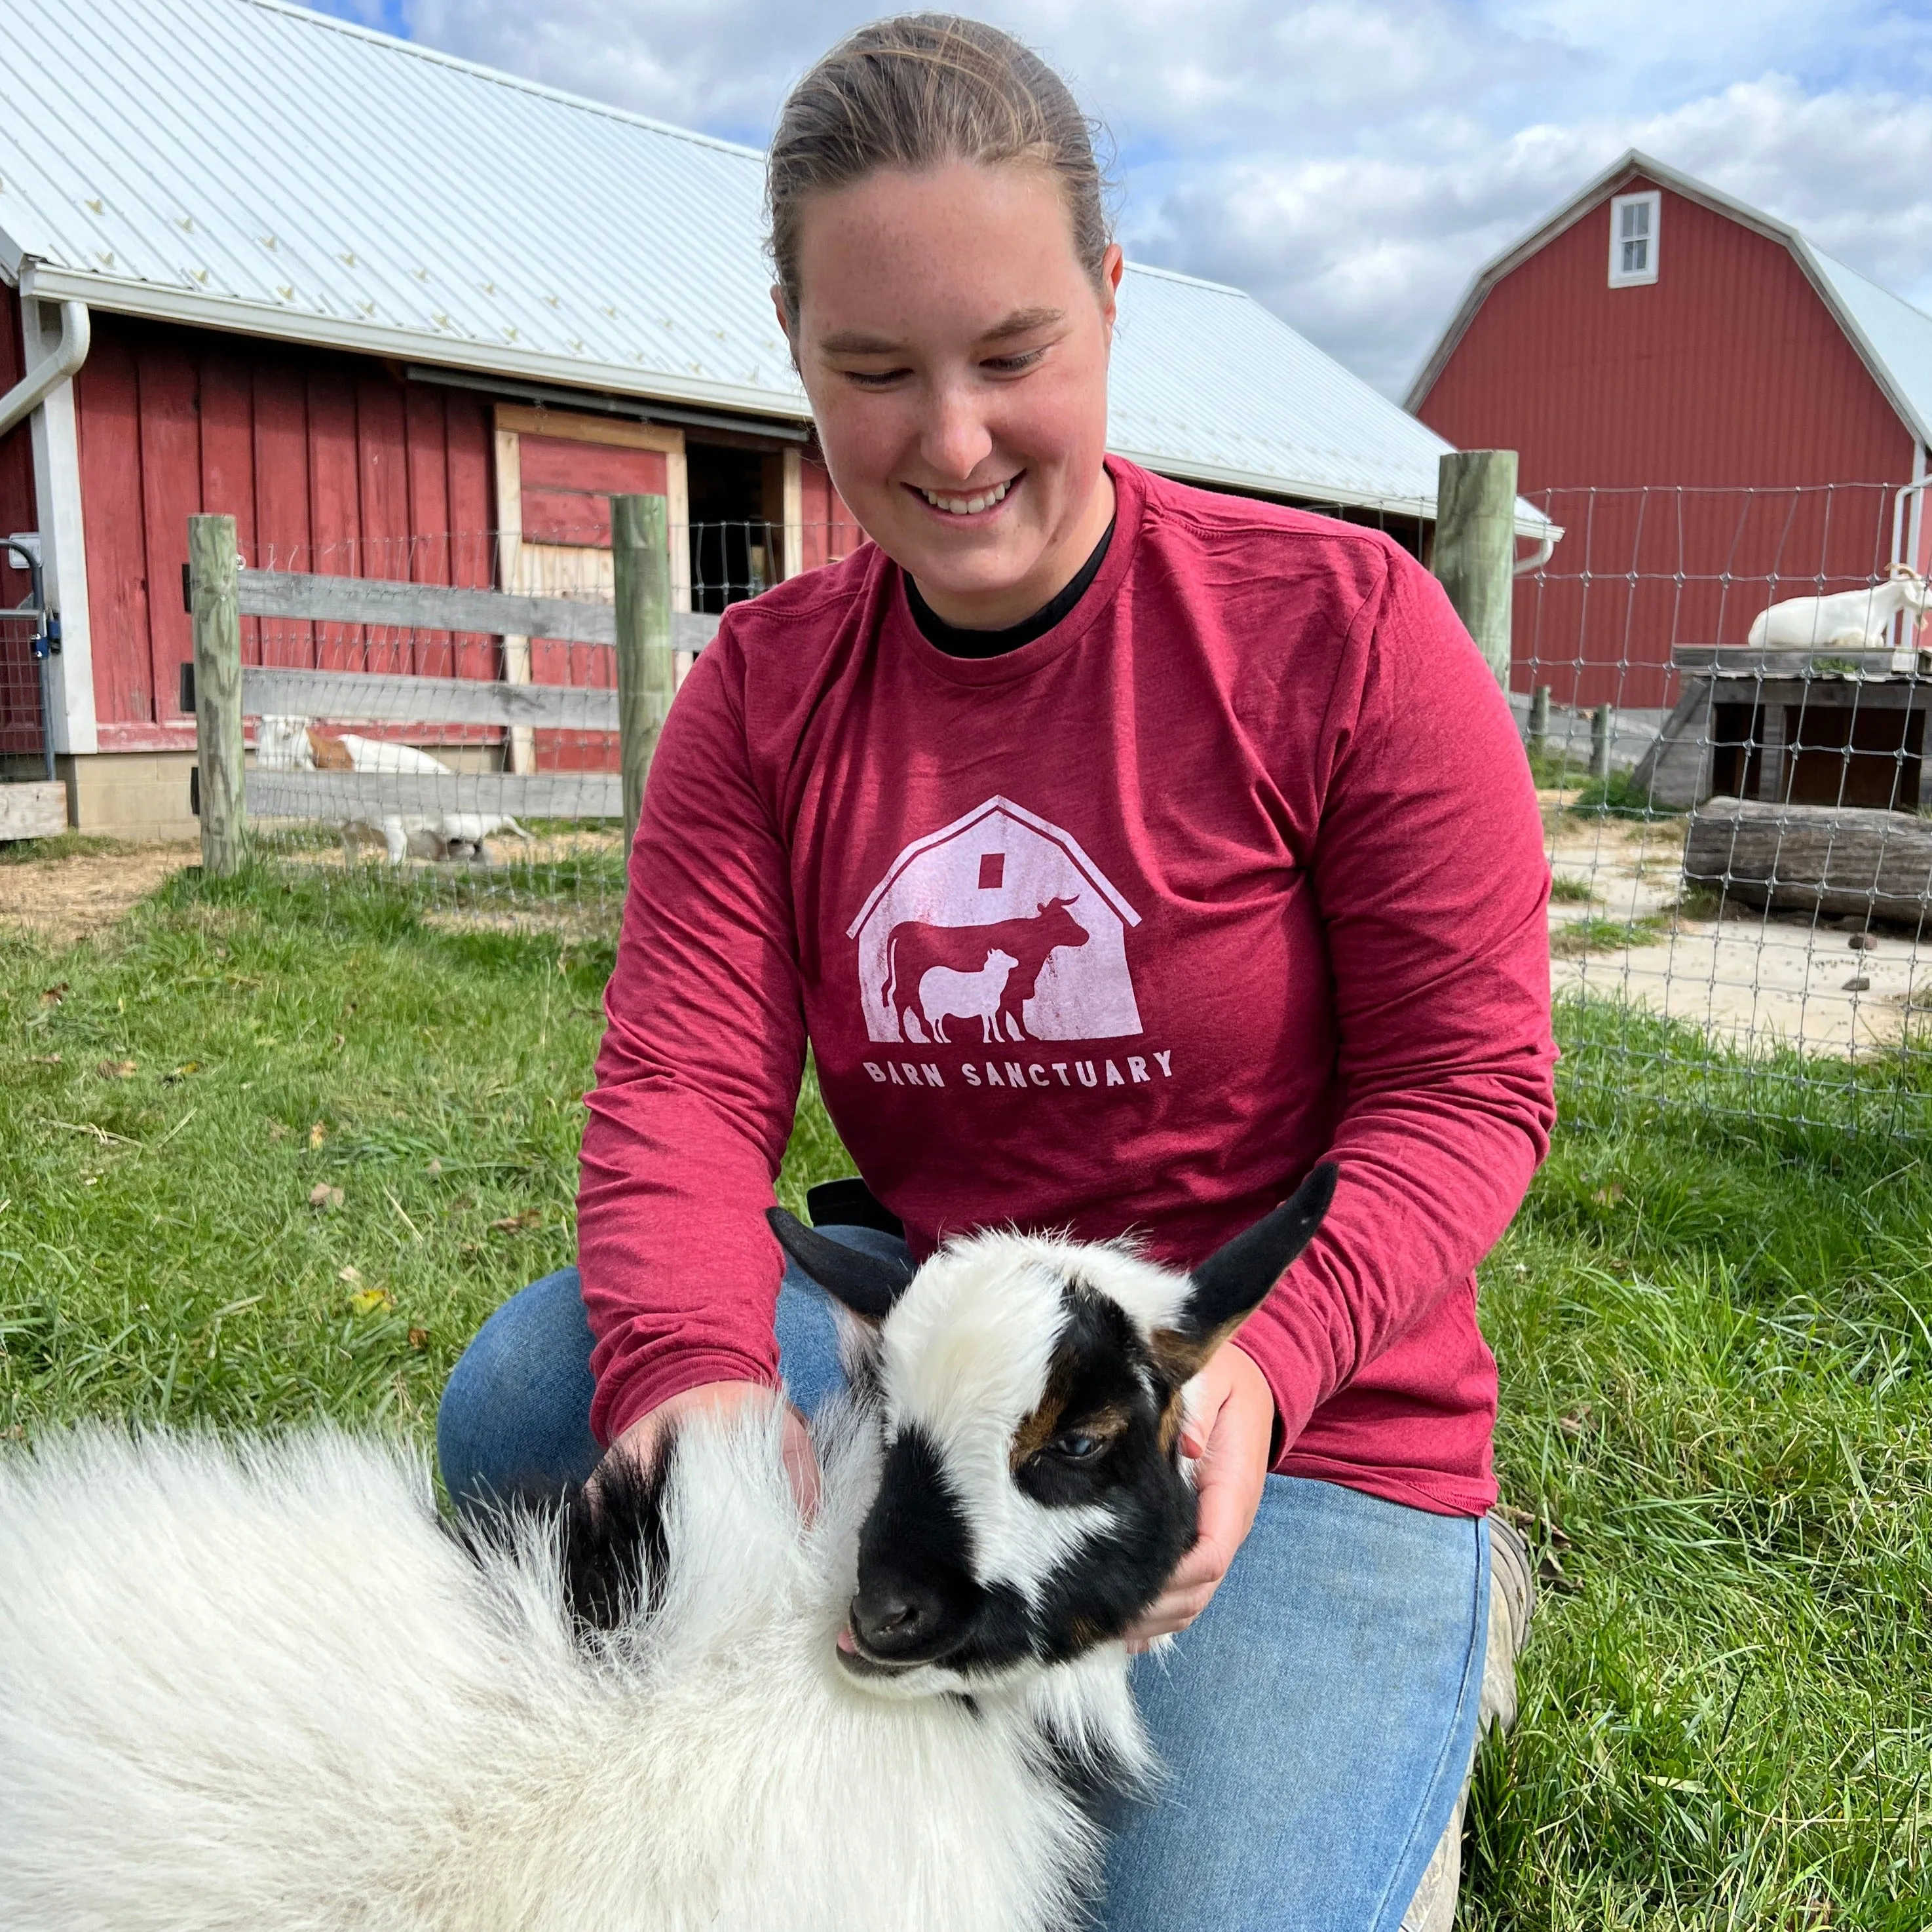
[555,478]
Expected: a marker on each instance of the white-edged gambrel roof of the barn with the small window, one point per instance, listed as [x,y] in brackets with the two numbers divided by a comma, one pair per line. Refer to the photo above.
[1890,335]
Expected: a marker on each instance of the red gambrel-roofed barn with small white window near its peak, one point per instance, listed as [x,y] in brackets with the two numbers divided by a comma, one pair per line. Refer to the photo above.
[1717,412]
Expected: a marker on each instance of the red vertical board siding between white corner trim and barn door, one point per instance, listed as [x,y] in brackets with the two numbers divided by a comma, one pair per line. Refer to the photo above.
[326,463]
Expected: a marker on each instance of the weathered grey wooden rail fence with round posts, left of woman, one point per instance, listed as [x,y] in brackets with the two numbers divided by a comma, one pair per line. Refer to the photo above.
[639,625]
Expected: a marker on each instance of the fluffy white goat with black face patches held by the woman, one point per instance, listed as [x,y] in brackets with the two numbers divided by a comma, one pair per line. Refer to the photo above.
[266,1690]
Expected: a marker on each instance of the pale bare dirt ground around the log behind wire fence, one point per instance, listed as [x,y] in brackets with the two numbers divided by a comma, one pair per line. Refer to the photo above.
[1751,980]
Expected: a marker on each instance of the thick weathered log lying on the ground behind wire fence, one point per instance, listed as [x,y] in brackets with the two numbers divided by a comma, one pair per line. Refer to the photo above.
[1825,861]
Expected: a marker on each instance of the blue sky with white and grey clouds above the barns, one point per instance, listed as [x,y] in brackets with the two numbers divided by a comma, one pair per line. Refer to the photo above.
[1351,165]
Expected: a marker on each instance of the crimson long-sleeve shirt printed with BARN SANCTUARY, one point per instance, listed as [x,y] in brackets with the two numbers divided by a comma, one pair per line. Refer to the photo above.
[1236,868]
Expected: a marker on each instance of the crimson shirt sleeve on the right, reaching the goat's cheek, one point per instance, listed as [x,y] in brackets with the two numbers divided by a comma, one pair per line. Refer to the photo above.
[1429,870]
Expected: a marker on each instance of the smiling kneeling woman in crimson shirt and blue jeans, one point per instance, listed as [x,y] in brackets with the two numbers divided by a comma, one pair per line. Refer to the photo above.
[1122,851]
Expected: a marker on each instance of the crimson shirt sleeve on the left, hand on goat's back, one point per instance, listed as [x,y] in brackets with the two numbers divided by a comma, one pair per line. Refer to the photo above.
[696,1079]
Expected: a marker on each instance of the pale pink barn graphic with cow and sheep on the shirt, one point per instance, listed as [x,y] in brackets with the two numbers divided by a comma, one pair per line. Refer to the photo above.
[996,928]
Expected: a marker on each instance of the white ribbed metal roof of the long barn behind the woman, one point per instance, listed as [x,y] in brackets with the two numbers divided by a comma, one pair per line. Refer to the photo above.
[248,165]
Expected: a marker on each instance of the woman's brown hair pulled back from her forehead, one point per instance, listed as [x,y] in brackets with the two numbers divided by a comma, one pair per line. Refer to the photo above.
[915,94]
